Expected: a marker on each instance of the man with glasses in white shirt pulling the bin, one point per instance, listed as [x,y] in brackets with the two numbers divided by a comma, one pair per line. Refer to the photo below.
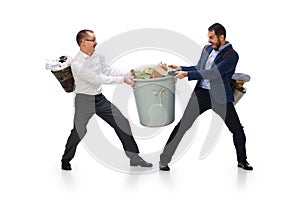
[90,71]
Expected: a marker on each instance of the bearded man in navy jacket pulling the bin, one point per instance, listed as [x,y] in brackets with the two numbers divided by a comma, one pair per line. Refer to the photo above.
[213,91]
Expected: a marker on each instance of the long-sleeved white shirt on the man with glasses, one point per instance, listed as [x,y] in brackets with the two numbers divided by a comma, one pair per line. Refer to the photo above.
[90,72]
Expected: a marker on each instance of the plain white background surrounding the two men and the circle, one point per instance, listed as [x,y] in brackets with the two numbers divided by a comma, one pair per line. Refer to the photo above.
[36,114]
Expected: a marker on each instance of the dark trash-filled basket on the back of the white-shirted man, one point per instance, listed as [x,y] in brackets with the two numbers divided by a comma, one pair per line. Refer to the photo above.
[61,69]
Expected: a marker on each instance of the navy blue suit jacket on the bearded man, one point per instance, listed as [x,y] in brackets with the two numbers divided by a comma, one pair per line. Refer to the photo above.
[219,75]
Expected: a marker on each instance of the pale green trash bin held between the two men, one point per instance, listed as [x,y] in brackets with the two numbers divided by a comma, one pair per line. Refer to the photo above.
[155,100]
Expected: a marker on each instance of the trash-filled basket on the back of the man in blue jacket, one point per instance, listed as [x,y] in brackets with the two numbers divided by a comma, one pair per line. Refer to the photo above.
[237,82]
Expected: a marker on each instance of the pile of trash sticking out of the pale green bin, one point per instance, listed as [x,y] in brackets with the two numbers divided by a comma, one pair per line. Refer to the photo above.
[150,72]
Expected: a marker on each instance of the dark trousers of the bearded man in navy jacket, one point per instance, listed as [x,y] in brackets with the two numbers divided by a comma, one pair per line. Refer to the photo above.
[200,102]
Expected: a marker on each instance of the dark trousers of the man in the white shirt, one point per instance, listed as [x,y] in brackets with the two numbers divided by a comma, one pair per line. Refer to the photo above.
[88,105]
